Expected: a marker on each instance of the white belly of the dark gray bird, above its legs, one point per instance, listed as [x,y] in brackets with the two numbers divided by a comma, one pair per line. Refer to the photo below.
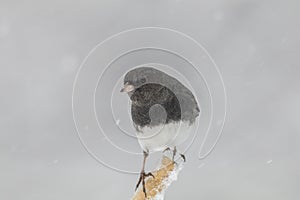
[158,138]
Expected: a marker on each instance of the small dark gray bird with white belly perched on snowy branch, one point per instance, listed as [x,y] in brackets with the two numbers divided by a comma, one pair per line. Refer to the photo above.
[163,112]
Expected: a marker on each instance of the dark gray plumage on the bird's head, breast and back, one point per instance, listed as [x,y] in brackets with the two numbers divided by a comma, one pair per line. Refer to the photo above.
[153,88]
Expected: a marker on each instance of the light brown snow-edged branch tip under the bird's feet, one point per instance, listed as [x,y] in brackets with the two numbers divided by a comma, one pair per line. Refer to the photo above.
[164,176]
